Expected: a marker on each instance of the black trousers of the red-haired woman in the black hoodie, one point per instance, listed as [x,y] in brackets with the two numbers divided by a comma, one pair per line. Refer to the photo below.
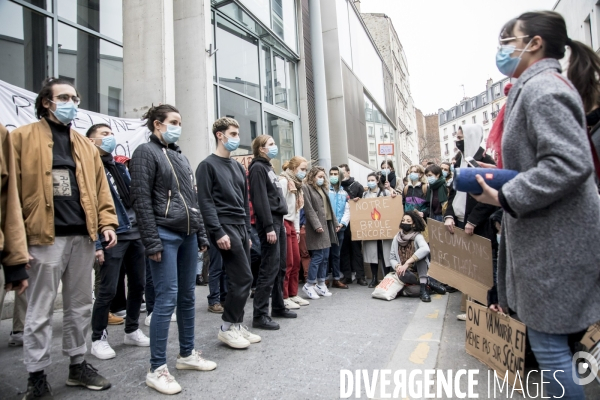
[272,270]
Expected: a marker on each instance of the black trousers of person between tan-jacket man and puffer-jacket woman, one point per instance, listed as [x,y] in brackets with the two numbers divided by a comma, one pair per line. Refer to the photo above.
[130,254]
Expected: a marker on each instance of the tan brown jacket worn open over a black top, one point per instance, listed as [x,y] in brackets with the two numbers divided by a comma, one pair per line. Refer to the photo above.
[33,159]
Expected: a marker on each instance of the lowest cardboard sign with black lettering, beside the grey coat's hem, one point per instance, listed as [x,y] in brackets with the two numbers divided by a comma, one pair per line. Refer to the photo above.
[498,341]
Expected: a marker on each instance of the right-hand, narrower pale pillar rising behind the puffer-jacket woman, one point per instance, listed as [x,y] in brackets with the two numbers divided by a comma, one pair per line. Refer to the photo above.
[193,72]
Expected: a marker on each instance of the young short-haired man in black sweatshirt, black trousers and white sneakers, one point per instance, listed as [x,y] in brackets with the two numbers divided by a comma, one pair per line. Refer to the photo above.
[223,200]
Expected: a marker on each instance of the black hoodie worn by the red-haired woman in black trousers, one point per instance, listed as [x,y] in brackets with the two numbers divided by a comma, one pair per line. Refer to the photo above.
[265,193]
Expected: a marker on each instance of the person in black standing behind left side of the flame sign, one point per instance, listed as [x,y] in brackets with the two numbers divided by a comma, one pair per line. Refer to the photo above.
[351,254]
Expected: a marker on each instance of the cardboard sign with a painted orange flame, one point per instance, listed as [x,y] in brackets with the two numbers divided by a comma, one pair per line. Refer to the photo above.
[375,219]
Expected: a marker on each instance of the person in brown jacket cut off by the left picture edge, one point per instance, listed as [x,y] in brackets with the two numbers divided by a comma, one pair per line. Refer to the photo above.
[13,243]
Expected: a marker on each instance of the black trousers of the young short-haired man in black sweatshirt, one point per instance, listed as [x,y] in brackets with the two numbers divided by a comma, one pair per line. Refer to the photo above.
[236,264]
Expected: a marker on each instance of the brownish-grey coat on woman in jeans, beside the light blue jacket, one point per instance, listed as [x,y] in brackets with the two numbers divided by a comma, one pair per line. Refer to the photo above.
[314,210]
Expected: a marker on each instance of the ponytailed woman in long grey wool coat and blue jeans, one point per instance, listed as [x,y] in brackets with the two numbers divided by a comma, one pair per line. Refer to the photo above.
[548,261]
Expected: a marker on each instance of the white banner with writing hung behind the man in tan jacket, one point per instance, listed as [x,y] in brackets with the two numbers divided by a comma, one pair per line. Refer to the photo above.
[17,108]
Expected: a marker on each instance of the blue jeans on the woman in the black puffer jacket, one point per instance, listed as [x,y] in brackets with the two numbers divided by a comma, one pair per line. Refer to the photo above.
[174,284]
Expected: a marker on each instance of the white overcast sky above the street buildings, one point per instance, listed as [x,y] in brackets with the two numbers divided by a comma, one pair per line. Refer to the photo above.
[449,43]
